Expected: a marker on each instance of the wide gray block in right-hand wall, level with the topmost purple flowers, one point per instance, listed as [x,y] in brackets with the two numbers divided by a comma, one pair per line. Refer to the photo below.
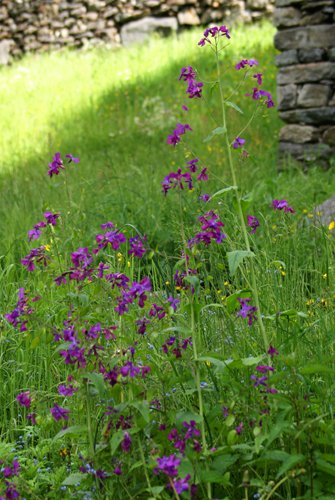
[322,36]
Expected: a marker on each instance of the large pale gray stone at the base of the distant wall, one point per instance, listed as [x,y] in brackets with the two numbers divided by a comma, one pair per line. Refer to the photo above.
[137,31]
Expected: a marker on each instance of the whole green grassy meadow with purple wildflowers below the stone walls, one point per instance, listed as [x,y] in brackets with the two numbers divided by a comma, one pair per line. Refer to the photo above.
[152,346]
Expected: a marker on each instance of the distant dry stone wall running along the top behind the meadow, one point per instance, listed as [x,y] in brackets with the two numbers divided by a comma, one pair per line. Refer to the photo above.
[37,25]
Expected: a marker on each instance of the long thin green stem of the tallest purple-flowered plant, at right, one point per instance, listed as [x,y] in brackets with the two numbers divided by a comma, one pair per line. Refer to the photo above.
[244,229]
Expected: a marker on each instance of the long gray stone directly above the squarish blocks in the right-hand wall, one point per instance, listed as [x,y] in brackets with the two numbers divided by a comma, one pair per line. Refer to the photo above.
[301,73]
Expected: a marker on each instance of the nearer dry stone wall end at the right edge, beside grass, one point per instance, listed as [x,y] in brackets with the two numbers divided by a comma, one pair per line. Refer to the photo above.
[306,77]
